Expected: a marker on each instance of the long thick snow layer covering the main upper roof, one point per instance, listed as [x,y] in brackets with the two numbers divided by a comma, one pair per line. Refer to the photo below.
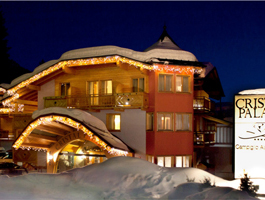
[109,51]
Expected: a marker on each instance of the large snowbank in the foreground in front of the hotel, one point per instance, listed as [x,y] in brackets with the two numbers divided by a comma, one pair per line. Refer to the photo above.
[118,178]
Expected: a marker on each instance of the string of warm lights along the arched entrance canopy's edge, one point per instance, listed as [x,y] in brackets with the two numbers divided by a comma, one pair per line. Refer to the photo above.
[69,122]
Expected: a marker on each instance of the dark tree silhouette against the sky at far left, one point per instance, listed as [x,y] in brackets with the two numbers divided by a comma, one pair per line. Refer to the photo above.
[9,69]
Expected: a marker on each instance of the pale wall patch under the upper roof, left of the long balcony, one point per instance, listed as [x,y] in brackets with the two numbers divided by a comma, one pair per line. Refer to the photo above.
[47,89]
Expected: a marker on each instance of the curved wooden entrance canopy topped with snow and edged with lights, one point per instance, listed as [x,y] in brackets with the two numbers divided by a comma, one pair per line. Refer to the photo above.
[50,125]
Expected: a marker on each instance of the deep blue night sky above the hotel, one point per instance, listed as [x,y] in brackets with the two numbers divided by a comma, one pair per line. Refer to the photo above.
[230,35]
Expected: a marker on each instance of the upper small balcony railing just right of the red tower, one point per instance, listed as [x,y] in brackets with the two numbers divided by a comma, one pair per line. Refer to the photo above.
[203,104]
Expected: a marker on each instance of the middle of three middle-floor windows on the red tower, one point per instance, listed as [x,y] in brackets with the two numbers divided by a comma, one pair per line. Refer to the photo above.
[165,121]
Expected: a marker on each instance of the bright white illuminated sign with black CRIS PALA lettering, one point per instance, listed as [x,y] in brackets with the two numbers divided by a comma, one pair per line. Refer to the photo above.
[250,135]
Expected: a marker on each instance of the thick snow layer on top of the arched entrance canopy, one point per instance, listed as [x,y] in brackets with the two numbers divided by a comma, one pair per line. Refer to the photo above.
[88,120]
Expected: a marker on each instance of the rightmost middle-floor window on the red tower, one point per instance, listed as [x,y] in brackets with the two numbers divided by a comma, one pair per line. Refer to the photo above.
[183,122]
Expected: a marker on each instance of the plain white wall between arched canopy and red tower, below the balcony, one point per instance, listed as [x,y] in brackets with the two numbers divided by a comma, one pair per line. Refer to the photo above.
[133,128]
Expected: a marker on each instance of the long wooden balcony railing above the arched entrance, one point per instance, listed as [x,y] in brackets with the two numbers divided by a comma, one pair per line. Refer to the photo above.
[121,100]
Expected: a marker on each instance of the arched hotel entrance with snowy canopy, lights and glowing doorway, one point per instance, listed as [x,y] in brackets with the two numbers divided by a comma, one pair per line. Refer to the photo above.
[72,134]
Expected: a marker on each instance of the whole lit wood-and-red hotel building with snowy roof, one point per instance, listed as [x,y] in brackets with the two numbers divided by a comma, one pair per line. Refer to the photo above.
[99,102]
